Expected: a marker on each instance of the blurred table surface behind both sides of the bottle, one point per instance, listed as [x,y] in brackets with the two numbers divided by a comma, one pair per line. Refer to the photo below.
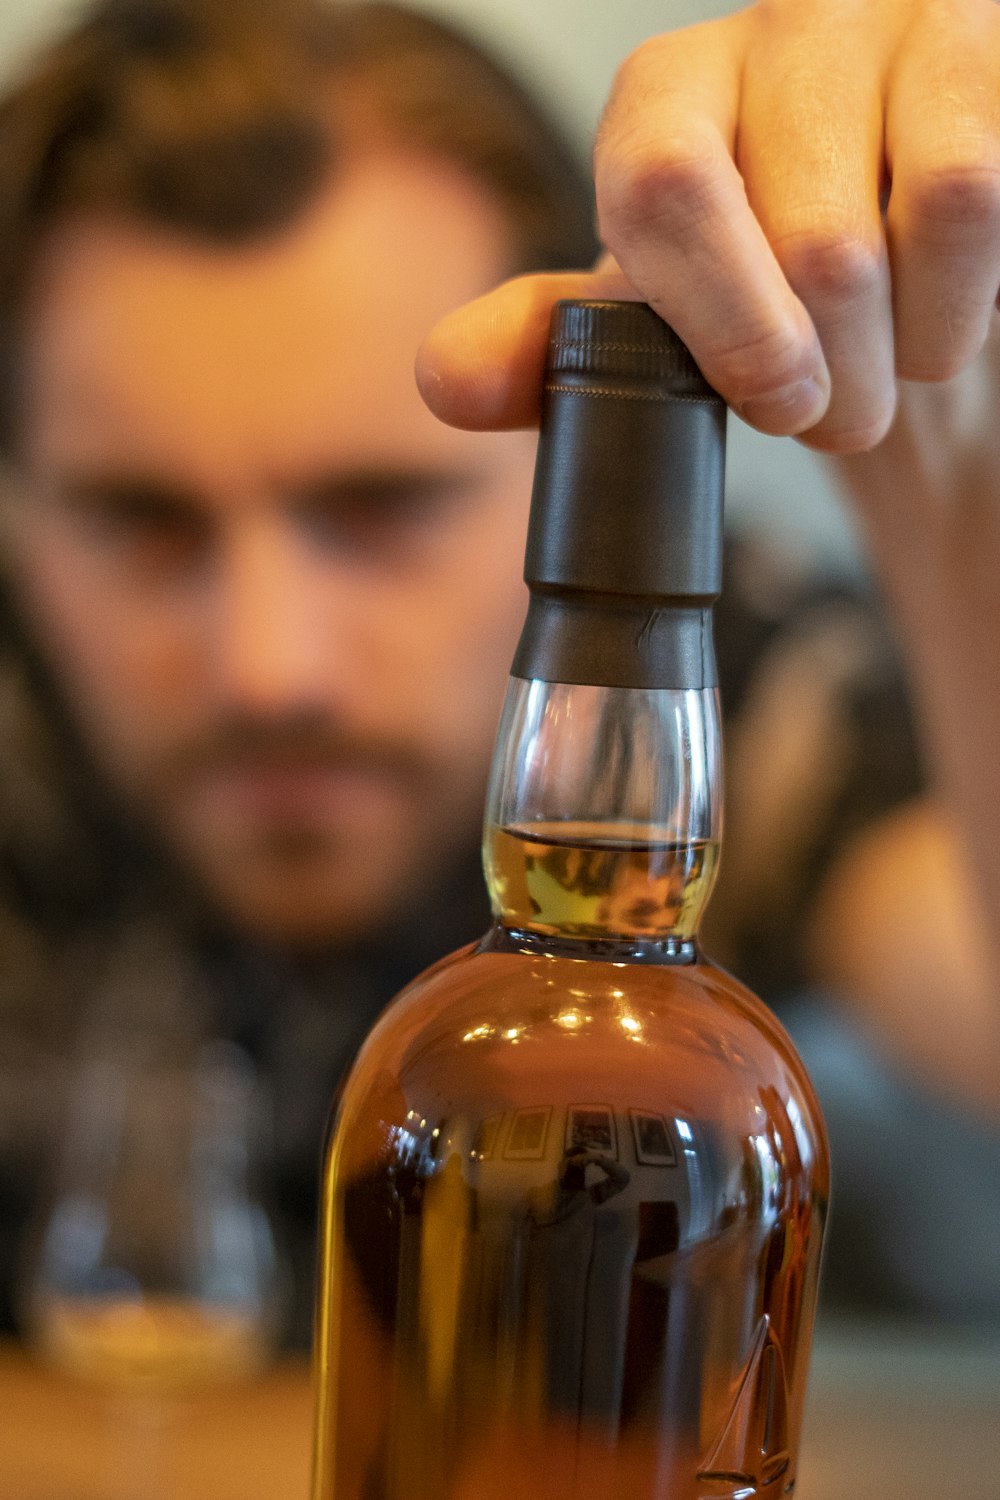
[894,1415]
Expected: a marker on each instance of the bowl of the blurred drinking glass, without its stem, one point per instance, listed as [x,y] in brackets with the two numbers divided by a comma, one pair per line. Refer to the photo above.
[157,1270]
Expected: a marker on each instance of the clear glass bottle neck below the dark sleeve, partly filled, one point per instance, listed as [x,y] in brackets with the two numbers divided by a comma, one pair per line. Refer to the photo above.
[605,812]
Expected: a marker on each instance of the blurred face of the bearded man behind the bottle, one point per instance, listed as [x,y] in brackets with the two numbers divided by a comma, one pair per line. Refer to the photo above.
[280,596]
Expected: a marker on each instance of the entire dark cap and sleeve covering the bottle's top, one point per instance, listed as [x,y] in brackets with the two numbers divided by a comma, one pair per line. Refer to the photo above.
[626,533]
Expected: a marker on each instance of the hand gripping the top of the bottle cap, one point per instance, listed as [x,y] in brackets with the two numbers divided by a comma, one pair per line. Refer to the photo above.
[743,167]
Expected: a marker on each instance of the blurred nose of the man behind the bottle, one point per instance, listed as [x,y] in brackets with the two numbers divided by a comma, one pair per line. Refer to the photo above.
[271,647]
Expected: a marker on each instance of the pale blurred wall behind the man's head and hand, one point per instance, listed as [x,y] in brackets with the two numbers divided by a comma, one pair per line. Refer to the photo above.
[569,50]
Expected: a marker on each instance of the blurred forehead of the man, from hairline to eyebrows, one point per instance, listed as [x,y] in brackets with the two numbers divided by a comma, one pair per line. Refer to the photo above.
[142,335]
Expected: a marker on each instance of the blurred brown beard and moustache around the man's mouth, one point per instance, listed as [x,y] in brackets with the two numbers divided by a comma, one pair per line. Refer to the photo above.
[307,869]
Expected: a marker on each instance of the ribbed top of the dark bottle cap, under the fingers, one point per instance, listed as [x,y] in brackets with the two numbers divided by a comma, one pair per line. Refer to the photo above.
[623,341]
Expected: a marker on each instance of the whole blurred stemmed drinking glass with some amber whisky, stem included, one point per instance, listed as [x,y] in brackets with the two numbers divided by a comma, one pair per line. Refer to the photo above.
[155,1274]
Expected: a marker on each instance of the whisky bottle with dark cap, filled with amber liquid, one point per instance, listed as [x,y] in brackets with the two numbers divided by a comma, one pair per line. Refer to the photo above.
[576,1184]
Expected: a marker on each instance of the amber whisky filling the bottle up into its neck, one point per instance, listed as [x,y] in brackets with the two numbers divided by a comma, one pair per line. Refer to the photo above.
[572,1216]
